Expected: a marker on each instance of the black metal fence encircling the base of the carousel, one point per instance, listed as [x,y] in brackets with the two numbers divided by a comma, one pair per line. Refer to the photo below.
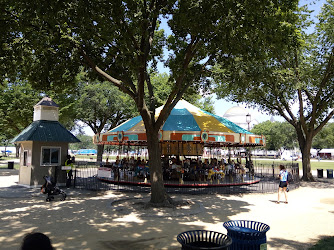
[264,180]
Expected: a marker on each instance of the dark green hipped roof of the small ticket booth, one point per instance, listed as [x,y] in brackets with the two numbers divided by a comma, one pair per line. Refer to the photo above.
[46,131]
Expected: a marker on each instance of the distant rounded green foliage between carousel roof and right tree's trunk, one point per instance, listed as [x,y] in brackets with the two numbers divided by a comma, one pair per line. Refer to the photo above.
[279,135]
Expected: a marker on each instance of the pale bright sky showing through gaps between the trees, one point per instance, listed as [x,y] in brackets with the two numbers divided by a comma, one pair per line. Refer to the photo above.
[221,106]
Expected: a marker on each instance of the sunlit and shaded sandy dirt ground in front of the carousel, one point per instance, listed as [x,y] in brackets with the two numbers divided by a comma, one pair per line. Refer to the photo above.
[114,220]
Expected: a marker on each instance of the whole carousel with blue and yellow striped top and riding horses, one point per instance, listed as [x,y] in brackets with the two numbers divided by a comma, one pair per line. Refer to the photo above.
[193,146]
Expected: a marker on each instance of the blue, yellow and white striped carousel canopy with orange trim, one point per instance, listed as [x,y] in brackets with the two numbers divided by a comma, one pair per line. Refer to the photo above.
[186,123]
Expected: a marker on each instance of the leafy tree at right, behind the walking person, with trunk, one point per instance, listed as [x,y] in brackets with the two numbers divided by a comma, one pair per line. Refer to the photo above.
[295,82]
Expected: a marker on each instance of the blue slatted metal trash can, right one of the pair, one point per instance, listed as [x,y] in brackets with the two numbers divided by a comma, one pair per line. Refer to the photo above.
[247,234]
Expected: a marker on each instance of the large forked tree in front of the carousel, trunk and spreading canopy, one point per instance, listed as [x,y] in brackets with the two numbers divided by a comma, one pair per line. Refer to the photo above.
[121,41]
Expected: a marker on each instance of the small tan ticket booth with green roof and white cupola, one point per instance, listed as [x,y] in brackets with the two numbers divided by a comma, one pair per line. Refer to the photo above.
[43,145]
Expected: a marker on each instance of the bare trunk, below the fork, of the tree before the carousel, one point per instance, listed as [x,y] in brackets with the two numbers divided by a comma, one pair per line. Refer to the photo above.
[158,192]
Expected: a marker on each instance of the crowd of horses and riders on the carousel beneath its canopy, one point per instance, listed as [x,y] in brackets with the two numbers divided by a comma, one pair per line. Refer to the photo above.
[175,169]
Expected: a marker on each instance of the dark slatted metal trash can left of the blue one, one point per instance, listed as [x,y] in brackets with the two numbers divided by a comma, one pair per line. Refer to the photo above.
[202,239]
